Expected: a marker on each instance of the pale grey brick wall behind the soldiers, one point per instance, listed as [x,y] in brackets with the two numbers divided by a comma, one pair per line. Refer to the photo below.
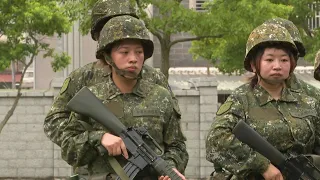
[27,153]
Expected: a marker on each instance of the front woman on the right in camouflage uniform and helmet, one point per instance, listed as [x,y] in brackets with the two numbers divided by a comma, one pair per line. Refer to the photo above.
[288,119]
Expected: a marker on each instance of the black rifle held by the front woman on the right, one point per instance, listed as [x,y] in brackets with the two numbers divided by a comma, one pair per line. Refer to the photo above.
[295,167]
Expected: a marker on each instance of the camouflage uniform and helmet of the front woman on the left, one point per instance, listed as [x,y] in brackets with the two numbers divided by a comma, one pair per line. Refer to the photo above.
[149,105]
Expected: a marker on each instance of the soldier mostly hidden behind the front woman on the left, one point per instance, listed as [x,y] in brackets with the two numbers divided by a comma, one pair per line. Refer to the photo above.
[94,72]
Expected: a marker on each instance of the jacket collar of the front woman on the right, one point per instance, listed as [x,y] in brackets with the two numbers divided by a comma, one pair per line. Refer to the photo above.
[264,97]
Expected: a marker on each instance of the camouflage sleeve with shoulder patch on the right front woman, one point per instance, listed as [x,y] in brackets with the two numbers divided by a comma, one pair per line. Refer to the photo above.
[227,152]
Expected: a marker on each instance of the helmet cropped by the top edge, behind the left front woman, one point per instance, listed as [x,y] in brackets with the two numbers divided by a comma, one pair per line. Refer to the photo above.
[104,10]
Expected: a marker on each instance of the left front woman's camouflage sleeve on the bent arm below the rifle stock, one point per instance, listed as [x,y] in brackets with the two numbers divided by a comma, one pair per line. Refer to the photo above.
[79,141]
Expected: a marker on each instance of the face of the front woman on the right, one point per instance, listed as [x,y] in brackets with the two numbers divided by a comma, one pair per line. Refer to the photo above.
[275,65]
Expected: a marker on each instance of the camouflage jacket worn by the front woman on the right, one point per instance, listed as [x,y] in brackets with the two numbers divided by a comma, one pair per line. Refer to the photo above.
[291,124]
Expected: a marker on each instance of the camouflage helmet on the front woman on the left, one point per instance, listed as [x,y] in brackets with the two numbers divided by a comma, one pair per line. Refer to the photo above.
[124,27]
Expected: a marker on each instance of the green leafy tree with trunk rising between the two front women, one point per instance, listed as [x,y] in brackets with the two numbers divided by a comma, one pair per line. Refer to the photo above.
[219,34]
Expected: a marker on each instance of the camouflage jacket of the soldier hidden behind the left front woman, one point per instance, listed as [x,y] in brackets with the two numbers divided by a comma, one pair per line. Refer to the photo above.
[90,74]
